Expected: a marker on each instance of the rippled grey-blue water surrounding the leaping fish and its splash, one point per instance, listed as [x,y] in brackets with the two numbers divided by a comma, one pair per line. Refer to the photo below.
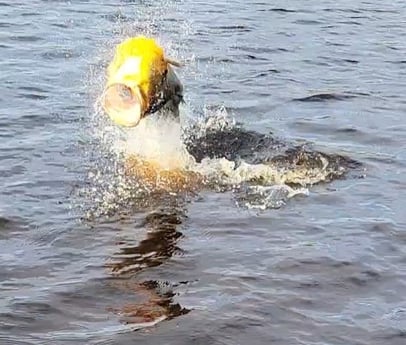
[221,265]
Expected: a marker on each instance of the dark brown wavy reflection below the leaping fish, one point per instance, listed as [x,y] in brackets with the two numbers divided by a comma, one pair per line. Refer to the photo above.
[161,243]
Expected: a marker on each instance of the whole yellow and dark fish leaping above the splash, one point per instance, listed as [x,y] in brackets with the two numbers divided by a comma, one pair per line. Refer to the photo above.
[141,81]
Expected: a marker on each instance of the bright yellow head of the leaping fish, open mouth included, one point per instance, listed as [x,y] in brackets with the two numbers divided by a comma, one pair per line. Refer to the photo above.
[134,78]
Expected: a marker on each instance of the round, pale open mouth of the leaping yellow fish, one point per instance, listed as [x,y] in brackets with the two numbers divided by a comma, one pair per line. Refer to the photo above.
[124,104]
